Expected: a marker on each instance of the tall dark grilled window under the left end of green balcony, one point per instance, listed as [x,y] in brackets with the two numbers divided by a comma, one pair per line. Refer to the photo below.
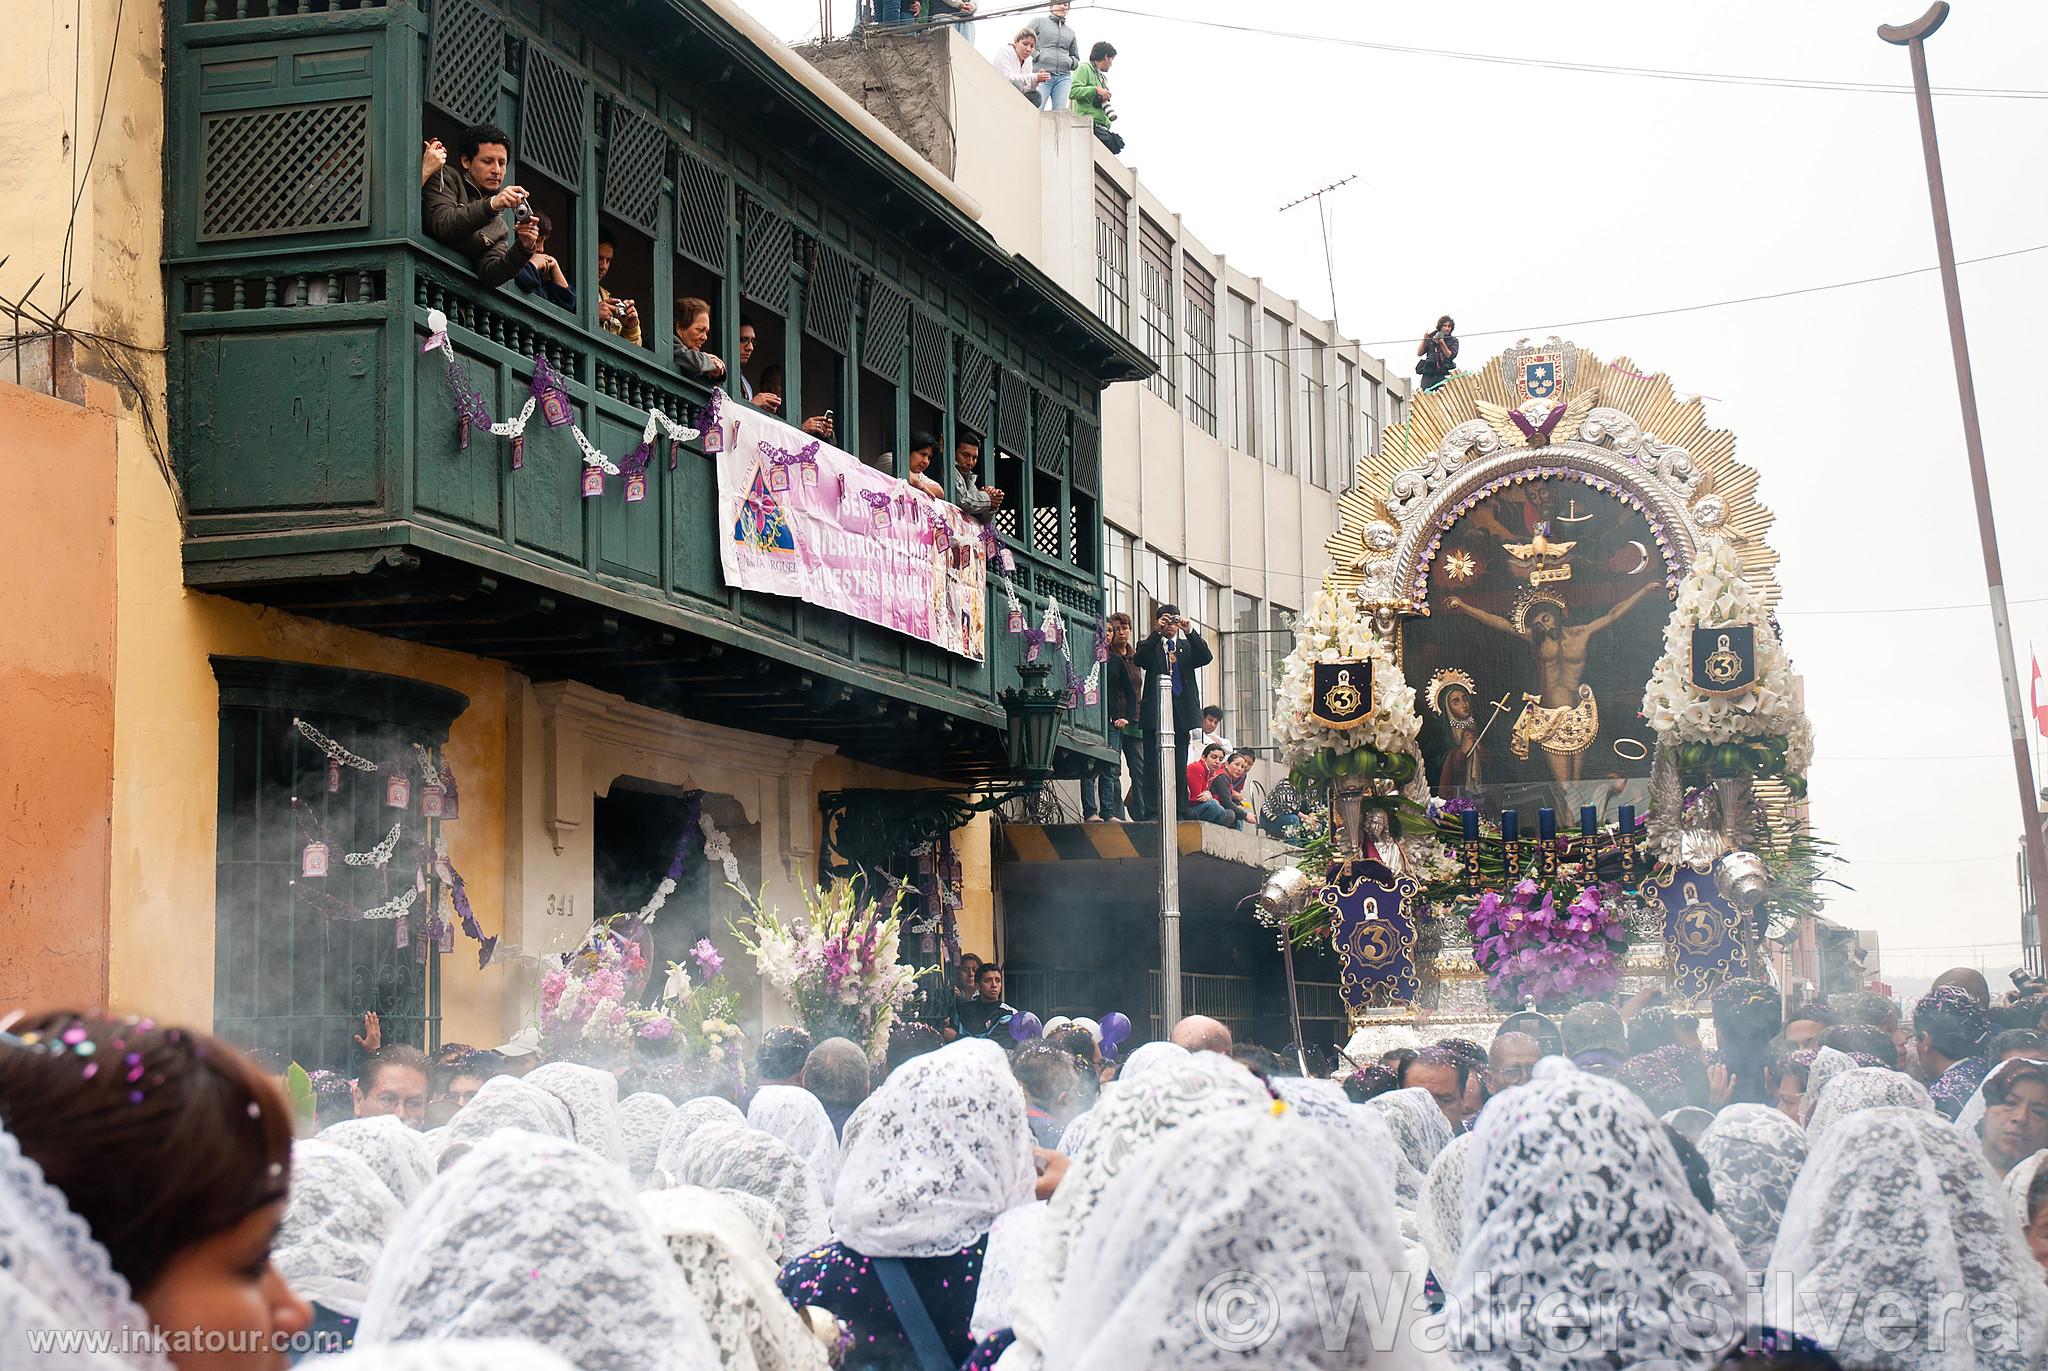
[296,966]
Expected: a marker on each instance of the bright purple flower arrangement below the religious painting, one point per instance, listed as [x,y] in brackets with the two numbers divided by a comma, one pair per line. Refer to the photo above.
[1537,952]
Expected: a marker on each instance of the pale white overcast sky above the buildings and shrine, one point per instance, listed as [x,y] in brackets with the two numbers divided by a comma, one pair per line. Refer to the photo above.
[1527,198]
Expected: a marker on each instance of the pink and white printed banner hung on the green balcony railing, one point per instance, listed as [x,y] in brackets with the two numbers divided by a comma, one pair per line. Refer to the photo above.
[804,520]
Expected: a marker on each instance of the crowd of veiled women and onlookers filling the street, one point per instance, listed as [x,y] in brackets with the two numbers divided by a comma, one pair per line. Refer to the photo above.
[1592,1192]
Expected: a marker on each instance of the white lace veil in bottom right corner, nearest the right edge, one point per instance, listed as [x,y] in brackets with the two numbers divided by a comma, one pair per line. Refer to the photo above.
[1900,1206]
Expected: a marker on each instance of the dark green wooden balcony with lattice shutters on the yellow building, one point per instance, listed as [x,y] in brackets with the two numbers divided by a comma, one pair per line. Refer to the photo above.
[321,454]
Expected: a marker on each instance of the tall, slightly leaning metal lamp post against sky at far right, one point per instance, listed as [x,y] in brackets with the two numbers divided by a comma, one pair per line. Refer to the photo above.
[1914,38]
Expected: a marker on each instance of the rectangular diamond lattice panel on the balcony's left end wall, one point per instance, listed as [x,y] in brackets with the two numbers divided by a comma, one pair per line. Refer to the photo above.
[243,194]
